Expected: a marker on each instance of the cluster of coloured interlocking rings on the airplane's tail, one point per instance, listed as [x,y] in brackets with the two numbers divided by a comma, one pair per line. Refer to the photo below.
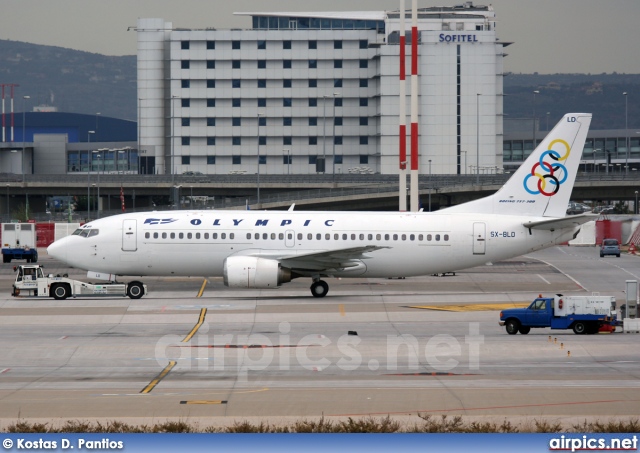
[550,175]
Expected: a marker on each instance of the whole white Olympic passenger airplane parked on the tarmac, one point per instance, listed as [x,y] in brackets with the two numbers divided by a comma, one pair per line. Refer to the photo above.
[266,249]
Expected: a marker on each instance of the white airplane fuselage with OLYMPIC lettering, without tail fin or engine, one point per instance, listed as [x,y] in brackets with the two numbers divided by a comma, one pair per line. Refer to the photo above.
[196,243]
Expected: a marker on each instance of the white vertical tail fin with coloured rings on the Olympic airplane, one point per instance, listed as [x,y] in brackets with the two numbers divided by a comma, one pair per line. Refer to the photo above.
[542,185]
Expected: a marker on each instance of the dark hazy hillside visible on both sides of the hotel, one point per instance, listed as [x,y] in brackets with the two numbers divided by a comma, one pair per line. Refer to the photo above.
[82,82]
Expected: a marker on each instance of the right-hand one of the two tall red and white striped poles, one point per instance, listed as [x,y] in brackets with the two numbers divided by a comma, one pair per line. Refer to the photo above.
[415,192]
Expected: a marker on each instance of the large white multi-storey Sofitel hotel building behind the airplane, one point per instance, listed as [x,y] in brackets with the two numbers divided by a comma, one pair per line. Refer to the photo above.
[307,93]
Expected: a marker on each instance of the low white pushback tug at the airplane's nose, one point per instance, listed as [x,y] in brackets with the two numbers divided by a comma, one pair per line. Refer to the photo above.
[31,281]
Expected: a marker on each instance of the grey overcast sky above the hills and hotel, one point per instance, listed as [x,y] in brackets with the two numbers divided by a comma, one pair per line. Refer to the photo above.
[549,36]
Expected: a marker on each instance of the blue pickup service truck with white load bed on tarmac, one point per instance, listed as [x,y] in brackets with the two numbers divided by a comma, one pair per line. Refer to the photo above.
[583,314]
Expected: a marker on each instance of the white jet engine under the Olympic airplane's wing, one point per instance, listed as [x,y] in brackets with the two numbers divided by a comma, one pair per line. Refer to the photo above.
[253,272]
